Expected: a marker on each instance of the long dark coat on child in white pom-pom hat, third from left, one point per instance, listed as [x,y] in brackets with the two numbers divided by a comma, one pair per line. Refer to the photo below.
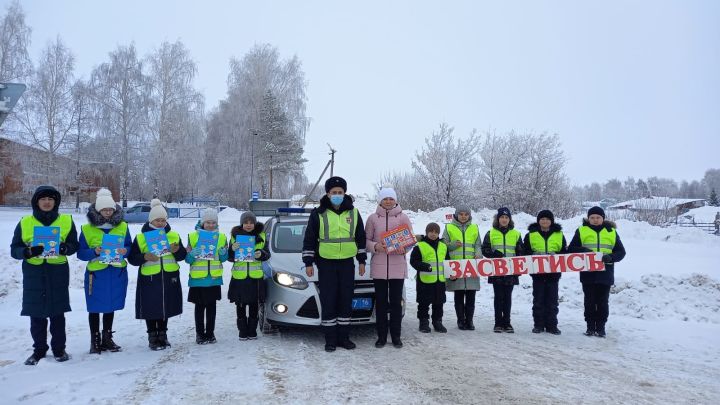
[158,296]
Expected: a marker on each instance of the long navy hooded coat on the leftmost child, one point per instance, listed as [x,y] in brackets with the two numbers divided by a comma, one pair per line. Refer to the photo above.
[45,286]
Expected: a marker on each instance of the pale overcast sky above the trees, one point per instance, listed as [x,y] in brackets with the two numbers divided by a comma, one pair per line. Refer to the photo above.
[631,87]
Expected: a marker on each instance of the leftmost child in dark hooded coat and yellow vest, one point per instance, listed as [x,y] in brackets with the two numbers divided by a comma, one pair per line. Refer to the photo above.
[45,280]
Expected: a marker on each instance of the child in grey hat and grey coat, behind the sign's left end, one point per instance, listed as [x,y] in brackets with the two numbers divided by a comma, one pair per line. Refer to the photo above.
[462,238]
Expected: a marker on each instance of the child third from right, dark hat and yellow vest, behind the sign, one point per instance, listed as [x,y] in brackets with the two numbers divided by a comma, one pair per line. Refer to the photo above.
[503,240]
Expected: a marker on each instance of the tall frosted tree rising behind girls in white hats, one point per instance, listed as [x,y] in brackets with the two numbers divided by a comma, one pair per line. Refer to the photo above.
[119,94]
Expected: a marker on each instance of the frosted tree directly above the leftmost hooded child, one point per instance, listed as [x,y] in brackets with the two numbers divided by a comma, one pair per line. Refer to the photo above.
[47,110]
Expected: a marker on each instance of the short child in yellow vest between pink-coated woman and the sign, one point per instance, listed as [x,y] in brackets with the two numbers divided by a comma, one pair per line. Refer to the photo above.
[427,258]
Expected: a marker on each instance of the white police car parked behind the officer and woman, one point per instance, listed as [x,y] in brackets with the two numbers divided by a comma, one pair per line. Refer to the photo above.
[292,297]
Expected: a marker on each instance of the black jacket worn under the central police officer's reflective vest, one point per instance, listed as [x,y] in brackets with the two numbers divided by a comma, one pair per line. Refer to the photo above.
[311,243]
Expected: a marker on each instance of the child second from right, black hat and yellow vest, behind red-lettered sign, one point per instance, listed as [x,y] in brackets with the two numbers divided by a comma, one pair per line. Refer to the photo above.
[545,237]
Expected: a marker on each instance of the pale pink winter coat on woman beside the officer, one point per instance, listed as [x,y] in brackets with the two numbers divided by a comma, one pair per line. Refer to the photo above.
[377,224]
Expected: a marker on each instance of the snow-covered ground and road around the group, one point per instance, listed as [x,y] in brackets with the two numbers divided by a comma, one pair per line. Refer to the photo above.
[662,344]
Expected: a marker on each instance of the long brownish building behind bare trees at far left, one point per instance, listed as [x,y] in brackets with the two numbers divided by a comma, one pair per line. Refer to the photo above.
[23,168]
